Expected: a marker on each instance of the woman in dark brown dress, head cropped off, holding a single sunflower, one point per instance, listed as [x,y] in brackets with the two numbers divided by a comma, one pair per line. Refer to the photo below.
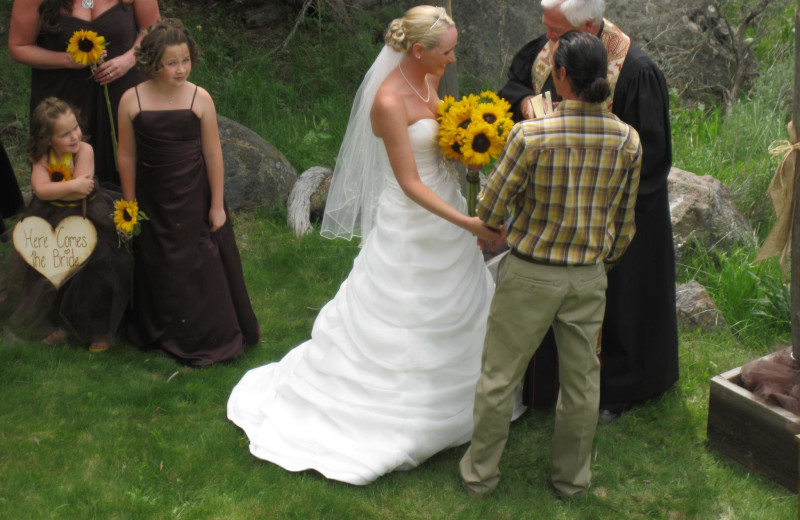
[38,36]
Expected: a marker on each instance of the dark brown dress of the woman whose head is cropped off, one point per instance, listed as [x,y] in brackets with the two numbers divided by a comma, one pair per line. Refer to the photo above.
[76,86]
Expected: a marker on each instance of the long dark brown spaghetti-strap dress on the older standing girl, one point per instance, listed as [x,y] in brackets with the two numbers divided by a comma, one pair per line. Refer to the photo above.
[190,301]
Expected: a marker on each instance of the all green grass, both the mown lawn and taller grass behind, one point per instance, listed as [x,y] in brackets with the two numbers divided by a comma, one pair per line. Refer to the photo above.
[127,434]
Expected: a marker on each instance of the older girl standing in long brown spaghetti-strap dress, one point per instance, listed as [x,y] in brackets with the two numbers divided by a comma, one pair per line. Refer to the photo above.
[190,301]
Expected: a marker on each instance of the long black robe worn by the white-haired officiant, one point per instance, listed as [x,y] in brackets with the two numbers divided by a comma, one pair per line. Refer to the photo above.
[639,358]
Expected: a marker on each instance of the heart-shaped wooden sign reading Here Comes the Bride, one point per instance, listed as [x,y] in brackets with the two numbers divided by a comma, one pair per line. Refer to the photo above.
[55,253]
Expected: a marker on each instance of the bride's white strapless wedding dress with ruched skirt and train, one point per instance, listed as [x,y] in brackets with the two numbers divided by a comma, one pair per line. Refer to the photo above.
[388,376]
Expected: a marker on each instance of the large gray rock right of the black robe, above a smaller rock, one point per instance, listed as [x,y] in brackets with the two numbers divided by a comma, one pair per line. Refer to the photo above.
[702,209]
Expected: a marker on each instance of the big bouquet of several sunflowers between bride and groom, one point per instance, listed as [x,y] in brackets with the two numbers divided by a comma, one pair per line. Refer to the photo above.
[473,131]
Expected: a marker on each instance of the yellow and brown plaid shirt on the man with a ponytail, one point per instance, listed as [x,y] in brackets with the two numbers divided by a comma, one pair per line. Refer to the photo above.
[570,179]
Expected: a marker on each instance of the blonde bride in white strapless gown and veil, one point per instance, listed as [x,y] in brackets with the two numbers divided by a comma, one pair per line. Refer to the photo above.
[388,376]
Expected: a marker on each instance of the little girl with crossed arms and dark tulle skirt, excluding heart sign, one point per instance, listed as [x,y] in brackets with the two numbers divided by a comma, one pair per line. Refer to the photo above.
[89,306]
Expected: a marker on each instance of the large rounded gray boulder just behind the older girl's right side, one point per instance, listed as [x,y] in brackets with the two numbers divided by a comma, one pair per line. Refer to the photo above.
[256,173]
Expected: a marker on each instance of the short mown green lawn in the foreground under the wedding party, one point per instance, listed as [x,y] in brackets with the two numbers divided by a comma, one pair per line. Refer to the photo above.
[129,434]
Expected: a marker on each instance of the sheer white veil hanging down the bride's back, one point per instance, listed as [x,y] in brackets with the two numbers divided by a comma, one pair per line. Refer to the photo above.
[358,177]
